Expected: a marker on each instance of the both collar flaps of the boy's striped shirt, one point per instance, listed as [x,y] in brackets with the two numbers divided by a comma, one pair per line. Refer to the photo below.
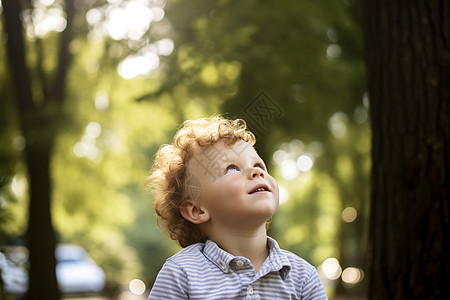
[276,262]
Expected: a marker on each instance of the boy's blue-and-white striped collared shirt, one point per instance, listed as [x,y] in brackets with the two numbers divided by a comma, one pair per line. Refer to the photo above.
[205,271]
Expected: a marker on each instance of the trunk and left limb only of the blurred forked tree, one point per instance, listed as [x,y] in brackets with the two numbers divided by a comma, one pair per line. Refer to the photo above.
[39,136]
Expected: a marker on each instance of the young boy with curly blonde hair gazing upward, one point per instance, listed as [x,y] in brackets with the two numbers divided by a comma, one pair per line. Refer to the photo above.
[213,195]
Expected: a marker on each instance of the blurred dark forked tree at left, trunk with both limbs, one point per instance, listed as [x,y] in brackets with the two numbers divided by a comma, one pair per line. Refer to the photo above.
[37,124]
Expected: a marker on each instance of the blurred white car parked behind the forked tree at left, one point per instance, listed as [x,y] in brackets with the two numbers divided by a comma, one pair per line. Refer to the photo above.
[75,270]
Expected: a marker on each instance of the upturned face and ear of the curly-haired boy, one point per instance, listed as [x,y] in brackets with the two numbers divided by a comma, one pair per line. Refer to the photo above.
[235,188]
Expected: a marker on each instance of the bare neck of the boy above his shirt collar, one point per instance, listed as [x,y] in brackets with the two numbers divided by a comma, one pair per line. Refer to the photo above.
[252,245]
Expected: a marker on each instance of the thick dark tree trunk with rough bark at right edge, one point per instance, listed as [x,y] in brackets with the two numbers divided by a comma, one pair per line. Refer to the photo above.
[408,60]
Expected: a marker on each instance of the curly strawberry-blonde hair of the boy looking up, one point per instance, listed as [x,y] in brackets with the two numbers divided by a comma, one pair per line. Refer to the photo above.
[167,178]
